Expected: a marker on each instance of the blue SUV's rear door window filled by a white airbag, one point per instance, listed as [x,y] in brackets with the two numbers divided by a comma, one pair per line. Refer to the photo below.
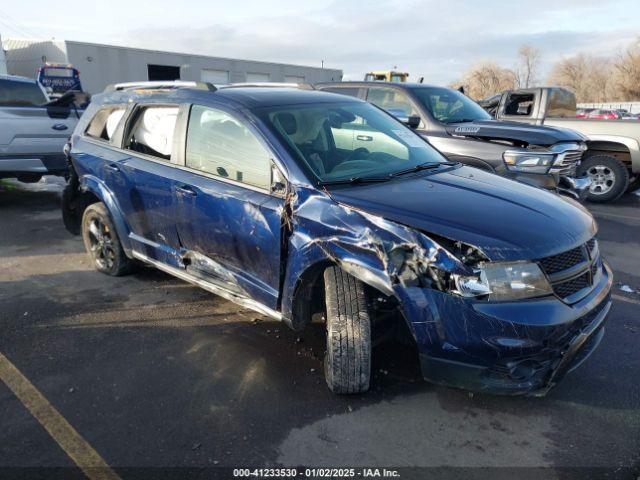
[152,131]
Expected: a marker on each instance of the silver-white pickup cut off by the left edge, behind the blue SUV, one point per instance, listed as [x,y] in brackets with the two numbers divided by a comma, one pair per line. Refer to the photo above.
[33,130]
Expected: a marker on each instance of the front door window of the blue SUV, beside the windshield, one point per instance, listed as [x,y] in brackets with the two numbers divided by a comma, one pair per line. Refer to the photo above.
[219,144]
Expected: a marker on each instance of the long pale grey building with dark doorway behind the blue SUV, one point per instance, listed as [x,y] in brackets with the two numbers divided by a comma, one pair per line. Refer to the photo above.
[101,65]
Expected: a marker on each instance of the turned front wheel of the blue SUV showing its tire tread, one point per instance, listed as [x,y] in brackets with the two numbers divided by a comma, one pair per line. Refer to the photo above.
[347,361]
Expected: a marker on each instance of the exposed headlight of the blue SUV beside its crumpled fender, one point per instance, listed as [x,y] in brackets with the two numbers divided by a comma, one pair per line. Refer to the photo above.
[504,281]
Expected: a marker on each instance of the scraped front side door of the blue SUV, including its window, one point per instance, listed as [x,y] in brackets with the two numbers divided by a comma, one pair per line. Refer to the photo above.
[228,219]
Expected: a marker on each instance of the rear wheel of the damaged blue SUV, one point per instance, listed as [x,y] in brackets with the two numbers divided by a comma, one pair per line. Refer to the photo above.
[102,243]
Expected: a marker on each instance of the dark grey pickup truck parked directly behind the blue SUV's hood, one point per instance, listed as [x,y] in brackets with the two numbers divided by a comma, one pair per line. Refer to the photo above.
[542,156]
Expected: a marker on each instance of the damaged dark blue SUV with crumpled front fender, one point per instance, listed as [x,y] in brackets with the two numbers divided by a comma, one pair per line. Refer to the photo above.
[295,202]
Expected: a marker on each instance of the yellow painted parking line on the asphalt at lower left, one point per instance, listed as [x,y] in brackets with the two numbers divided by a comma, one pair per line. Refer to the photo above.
[76,447]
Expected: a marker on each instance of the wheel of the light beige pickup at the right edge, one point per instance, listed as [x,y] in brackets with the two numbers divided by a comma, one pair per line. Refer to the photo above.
[609,177]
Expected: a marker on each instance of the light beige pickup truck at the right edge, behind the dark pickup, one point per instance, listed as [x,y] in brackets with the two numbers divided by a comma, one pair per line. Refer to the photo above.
[612,160]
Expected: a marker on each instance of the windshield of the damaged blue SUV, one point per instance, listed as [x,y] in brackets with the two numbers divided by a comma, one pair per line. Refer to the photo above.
[341,141]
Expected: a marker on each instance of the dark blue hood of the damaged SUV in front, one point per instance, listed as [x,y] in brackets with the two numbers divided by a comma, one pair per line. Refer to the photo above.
[507,220]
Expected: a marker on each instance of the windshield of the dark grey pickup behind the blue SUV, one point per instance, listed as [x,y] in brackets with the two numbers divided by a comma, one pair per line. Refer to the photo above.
[450,106]
